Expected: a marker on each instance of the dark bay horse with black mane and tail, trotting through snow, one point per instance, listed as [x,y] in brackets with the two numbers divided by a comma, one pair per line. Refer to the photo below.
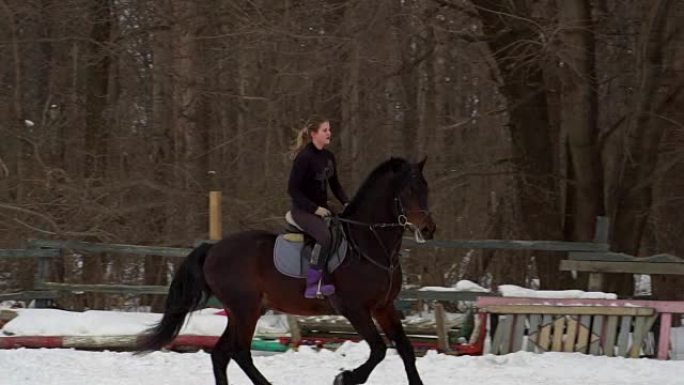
[239,271]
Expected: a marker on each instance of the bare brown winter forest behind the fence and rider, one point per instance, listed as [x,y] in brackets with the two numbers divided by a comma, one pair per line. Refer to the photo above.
[536,116]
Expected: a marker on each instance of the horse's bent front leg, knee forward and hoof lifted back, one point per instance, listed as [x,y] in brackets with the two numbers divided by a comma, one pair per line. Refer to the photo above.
[361,320]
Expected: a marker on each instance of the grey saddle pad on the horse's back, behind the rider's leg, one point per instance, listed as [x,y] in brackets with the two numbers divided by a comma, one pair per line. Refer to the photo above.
[288,259]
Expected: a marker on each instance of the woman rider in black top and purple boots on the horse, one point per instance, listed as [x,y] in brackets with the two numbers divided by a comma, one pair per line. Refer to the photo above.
[314,167]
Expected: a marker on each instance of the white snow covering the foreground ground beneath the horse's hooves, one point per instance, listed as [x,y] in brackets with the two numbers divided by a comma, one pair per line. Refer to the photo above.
[309,367]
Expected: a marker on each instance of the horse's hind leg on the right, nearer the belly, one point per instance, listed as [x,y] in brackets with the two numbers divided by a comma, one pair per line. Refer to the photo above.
[243,319]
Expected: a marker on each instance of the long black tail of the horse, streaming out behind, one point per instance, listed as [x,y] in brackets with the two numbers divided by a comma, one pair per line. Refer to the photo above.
[188,292]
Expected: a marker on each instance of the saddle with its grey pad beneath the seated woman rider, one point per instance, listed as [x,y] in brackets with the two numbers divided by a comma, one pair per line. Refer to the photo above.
[292,250]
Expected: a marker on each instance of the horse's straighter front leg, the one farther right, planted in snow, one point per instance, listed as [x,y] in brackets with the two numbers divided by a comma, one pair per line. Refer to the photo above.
[389,321]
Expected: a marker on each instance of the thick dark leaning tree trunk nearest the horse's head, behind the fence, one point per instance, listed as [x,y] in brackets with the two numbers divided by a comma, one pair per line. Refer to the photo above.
[531,132]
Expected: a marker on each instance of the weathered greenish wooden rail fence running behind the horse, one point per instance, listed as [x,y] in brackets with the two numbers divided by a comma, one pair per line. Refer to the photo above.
[583,256]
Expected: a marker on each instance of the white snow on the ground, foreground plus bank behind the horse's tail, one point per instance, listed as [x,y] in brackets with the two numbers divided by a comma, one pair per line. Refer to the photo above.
[307,366]
